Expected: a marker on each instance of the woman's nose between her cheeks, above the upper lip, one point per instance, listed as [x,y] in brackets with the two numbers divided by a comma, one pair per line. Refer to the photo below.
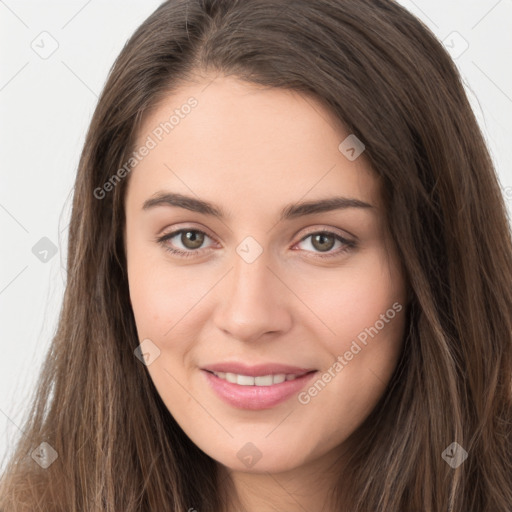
[253,301]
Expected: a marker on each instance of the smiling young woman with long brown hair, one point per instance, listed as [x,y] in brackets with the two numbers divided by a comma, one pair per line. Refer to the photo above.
[209,356]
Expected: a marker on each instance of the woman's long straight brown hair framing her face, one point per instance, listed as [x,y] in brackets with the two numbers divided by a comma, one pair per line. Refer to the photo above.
[391,83]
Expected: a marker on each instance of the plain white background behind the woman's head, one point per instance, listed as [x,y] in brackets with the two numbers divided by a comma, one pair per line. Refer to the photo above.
[45,108]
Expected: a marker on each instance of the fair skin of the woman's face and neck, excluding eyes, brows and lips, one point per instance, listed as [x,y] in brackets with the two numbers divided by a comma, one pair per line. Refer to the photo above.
[252,150]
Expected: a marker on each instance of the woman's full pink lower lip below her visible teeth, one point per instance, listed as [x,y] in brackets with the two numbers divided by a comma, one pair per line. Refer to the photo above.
[256,397]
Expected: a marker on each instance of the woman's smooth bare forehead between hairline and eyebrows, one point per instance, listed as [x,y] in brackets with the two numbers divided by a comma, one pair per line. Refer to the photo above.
[222,136]
